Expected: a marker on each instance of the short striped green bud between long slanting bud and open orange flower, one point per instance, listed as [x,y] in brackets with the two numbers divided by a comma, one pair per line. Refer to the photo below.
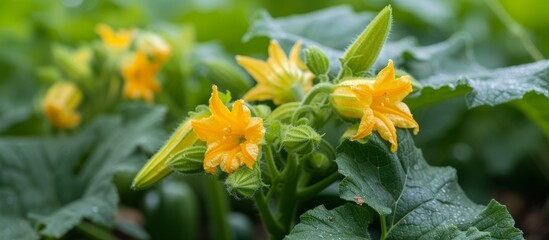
[188,160]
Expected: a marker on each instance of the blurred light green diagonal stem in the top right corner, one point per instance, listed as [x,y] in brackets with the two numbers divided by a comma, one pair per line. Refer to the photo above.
[515,28]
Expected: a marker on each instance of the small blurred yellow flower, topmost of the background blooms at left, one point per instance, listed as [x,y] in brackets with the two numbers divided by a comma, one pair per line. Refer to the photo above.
[117,41]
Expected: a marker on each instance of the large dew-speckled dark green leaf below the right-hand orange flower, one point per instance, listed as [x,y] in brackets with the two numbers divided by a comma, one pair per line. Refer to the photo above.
[416,199]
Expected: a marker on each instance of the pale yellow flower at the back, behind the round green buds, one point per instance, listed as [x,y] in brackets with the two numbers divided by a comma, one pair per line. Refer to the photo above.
[278,76]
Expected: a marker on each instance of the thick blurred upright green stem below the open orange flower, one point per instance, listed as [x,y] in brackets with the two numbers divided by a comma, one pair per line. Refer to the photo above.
[218,209]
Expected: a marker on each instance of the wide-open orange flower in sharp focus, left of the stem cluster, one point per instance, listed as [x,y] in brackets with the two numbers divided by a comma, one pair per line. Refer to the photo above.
[233,137]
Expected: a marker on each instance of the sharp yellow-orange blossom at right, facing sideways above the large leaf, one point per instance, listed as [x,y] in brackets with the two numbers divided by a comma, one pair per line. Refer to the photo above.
[378,103]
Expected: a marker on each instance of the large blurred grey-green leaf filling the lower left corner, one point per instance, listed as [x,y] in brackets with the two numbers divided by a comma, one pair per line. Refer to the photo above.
[58,182]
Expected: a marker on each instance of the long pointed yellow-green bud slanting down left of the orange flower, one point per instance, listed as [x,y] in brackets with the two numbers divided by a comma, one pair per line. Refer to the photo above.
[156,168]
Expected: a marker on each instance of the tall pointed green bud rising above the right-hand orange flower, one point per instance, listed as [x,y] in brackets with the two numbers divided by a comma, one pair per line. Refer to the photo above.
[362,53]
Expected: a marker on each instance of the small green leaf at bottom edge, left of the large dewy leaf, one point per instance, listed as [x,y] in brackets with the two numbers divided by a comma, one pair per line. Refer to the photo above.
[344,222]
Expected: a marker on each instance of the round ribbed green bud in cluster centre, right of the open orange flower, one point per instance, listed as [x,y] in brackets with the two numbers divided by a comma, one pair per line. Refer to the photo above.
[301,139]
